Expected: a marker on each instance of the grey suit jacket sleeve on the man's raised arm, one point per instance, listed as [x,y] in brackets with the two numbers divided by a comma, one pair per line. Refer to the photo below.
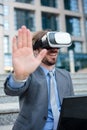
[15,91]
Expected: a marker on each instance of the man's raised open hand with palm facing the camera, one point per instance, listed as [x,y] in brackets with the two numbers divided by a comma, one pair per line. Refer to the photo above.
[23,59]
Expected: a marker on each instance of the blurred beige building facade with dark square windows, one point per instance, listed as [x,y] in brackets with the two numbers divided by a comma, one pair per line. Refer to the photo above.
[57,15]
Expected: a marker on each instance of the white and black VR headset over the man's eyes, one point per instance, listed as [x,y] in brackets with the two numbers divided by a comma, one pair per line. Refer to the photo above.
[53,40]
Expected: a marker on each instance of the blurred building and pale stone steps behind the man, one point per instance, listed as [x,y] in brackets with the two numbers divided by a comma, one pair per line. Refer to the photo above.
[58,15]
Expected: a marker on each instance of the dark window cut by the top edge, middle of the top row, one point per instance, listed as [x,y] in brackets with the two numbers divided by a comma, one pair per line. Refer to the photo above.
[50,3]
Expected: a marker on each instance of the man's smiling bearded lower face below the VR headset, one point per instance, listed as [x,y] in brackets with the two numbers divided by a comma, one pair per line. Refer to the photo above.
[51,57]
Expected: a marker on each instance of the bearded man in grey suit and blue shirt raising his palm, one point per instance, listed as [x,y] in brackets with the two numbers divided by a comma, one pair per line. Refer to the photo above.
[30,80]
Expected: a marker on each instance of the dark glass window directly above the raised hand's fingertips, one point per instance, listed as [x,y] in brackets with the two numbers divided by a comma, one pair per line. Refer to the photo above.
[24,17]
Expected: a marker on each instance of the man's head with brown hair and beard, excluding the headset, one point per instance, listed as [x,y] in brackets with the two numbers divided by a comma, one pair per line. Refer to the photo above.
[51,55]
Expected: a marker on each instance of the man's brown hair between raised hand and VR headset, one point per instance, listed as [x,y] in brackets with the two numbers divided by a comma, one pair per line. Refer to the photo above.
[37,38]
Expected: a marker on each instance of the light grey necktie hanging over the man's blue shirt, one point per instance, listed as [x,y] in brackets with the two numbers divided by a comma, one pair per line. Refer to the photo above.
[53,100]
